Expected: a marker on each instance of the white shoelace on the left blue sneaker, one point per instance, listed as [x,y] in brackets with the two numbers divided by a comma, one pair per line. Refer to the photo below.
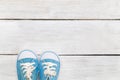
[27,69]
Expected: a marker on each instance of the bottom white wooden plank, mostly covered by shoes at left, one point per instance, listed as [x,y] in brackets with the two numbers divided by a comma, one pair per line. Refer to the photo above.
[72,68]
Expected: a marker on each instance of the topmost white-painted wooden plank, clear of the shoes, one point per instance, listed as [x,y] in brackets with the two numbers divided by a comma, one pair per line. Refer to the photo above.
[60,9]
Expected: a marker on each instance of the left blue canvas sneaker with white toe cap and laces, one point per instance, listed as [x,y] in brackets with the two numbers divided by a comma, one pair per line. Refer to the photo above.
[27,65]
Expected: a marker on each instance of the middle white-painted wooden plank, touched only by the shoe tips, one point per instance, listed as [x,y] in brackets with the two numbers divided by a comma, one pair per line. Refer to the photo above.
[63,37]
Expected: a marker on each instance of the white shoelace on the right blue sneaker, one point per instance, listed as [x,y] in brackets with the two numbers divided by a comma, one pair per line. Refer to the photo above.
[49,71]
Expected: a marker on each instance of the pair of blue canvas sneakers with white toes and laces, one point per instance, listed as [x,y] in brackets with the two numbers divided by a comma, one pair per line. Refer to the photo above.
[30,68]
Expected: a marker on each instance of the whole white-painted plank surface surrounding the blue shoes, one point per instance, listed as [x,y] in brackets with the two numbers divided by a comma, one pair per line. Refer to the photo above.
[85,33]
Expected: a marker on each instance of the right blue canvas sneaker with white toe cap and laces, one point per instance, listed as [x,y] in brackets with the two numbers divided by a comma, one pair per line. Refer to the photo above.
[49,66]
